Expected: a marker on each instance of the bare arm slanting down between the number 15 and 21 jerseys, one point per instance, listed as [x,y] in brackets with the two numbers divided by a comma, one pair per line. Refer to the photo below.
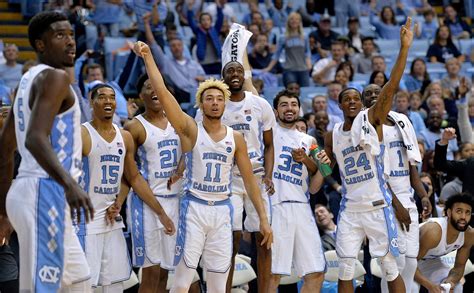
[140,186]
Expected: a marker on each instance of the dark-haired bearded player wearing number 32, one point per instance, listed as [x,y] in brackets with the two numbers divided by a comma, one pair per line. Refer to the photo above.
[297,243]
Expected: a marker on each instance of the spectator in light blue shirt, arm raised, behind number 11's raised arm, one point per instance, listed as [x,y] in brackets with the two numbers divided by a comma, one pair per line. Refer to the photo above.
[182,73]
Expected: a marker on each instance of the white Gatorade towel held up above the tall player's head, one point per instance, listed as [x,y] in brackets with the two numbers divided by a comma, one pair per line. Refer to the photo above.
[235,44]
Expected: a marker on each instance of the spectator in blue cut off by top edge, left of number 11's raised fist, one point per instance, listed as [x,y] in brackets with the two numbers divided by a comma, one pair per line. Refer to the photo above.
[106,17]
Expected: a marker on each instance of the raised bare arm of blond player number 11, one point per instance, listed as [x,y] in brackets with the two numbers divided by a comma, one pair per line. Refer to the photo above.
[182,123]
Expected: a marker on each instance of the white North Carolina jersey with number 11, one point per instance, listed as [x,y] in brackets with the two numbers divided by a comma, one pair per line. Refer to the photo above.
[209,165]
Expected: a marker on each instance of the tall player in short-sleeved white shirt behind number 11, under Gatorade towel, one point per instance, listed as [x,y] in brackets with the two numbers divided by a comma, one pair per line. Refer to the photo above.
[253,117]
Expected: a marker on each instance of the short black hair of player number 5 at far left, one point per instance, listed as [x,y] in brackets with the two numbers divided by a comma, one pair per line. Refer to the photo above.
[40,24]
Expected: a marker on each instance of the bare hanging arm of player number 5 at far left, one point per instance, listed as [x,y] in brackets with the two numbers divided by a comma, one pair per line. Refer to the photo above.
[46,103]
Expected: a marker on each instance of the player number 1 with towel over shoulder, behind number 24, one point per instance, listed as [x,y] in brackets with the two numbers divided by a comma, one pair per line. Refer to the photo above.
[403,179]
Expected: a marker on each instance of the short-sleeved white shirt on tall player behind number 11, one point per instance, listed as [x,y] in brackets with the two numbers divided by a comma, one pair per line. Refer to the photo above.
[251,117]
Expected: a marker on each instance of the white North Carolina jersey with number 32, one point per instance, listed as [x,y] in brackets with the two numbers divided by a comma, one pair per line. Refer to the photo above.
[291,179]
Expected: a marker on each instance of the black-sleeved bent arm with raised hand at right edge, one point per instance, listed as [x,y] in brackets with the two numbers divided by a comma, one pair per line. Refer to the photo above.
[461,169]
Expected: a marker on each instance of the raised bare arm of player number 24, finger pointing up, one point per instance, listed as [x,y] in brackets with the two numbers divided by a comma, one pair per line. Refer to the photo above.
[378,112]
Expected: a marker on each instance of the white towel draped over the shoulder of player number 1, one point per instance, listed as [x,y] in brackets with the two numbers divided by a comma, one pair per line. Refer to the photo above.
[408,135]
